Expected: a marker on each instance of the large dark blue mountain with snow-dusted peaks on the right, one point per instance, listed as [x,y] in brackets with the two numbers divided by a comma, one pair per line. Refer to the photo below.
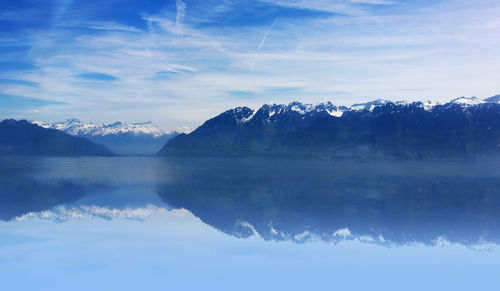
[463,127]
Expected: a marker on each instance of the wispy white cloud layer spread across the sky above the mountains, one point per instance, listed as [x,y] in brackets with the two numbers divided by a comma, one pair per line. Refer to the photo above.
[445,50]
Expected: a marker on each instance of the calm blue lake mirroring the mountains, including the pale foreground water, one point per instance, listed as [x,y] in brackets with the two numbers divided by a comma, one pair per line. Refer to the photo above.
[128,223]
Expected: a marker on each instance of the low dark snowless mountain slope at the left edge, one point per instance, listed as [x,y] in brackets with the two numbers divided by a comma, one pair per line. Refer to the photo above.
[24,138]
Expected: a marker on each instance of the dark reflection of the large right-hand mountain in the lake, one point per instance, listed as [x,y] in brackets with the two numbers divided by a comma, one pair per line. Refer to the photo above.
[385,201]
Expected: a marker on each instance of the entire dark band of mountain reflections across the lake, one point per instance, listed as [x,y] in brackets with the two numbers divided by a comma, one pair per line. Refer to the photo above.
[386,202]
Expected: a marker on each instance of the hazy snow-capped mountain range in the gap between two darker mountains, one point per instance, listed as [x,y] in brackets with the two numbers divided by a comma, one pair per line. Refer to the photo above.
[136,138]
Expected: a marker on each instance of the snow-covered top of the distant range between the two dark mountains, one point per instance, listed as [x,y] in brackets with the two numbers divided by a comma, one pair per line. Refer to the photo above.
[74,126]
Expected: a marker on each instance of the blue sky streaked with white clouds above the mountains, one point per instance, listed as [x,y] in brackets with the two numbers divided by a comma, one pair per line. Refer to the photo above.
[180,62]
